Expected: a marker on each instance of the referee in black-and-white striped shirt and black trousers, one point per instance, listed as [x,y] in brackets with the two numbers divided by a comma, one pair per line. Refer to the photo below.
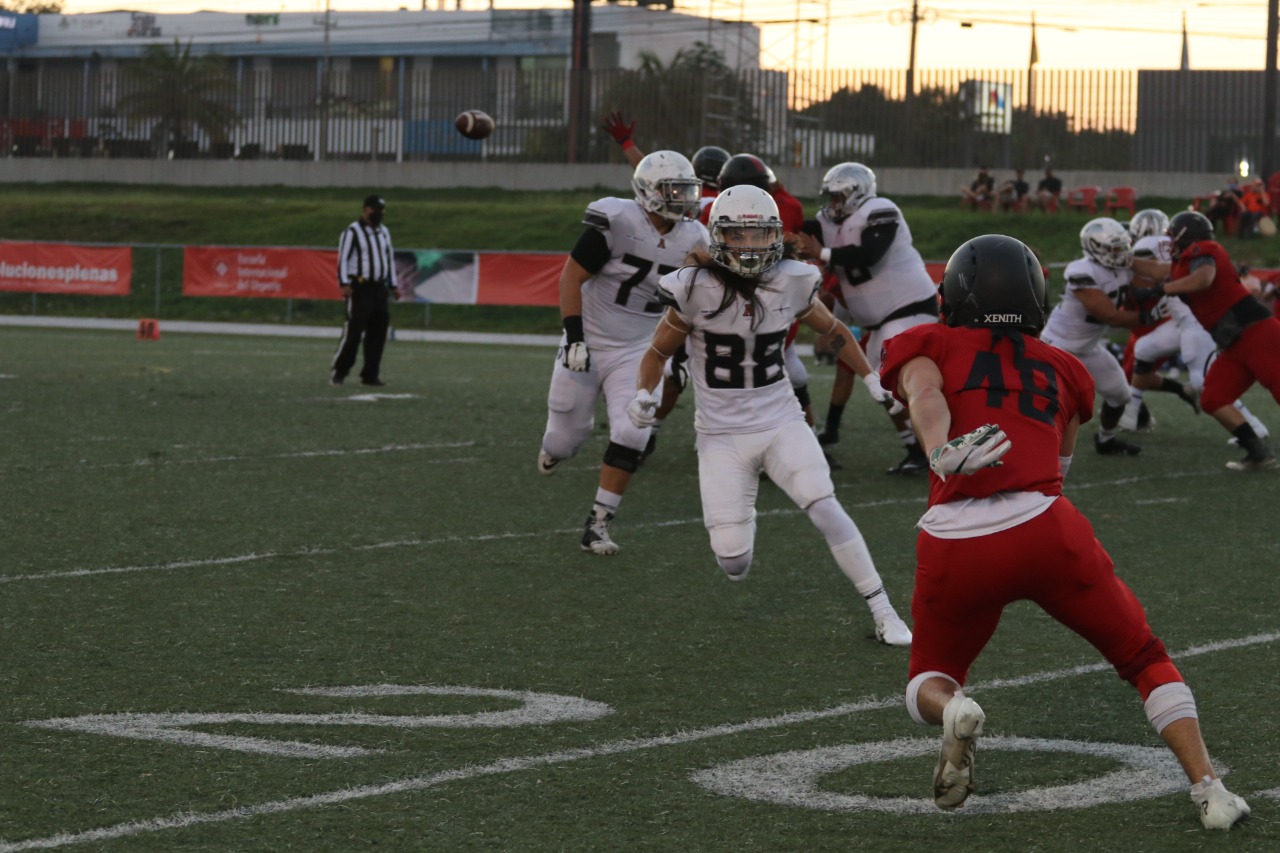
[367,276]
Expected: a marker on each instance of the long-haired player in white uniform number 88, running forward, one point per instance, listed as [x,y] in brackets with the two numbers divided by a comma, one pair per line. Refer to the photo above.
[735,311]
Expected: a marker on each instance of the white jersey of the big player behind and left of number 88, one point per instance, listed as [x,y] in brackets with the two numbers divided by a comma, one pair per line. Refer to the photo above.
[620,303]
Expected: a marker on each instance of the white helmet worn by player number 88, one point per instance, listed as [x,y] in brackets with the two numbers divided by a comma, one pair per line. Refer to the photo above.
[747,231]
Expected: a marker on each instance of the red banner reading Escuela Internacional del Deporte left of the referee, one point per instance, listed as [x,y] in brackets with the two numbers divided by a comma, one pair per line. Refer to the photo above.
[262,272]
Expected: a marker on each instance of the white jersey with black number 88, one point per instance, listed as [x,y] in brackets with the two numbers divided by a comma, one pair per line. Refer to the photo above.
[738,371]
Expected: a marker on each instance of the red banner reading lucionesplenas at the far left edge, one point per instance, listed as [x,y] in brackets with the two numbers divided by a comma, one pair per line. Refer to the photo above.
[61,268]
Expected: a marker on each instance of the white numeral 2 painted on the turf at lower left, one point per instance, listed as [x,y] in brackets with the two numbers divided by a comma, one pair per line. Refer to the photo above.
[534,710]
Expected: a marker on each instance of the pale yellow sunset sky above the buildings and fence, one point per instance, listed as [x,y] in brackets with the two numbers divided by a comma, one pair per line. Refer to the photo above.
[868,34]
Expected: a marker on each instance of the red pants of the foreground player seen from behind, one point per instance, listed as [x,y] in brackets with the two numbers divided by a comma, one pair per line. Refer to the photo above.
[963,586]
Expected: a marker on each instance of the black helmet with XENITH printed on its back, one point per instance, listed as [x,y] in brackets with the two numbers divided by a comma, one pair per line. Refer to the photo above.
[995,282]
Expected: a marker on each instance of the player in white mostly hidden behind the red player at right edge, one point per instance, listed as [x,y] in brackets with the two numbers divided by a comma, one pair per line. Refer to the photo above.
[1182,335]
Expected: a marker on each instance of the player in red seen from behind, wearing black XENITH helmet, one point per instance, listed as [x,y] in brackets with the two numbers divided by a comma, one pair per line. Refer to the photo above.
[999,528]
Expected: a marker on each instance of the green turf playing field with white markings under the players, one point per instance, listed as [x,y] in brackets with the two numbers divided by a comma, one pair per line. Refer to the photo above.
[244,610]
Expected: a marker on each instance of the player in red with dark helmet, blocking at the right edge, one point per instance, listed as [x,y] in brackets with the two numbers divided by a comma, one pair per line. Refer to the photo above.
[1247,335]
